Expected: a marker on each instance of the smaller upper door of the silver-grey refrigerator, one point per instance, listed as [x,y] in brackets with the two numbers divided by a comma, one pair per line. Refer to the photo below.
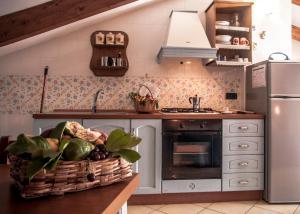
[284,79]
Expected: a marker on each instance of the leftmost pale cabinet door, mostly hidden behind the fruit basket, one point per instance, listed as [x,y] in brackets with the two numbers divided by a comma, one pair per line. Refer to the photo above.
[40,125]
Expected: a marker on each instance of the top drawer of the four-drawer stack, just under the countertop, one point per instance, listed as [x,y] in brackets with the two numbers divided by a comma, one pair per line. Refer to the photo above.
[243,128]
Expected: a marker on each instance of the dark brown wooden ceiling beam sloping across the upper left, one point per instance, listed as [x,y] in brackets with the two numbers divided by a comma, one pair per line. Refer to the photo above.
[50,15]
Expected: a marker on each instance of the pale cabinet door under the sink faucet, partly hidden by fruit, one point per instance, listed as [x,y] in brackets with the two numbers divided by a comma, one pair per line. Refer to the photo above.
[107,125]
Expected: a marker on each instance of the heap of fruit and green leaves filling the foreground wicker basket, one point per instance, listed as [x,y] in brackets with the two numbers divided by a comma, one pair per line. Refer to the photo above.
[70,141]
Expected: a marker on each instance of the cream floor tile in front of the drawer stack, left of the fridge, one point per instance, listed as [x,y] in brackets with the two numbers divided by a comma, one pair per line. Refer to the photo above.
[231,207]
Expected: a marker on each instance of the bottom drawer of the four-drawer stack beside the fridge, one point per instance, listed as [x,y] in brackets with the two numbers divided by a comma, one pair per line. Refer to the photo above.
[242,181]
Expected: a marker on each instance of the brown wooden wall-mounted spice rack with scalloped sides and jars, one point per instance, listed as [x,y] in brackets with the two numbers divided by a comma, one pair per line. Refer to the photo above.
[109,55]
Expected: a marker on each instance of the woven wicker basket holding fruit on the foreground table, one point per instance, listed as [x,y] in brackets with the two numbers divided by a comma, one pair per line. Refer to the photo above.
[68,176]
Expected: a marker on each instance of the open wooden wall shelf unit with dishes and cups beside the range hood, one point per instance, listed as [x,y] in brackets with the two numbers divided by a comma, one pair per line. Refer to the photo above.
[229,28]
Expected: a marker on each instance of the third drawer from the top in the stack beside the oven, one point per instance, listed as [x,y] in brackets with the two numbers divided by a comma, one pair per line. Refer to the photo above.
[243,163]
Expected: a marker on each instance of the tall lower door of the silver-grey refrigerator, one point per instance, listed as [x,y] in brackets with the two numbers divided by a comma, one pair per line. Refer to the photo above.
[283,150]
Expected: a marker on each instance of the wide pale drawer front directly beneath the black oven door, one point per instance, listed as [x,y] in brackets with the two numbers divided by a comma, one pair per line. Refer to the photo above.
[202,185]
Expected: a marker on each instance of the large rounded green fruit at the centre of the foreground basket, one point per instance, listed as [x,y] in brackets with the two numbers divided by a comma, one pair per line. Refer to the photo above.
[77,149]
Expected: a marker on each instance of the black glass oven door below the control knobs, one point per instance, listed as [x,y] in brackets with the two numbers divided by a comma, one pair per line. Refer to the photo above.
[192,155]
